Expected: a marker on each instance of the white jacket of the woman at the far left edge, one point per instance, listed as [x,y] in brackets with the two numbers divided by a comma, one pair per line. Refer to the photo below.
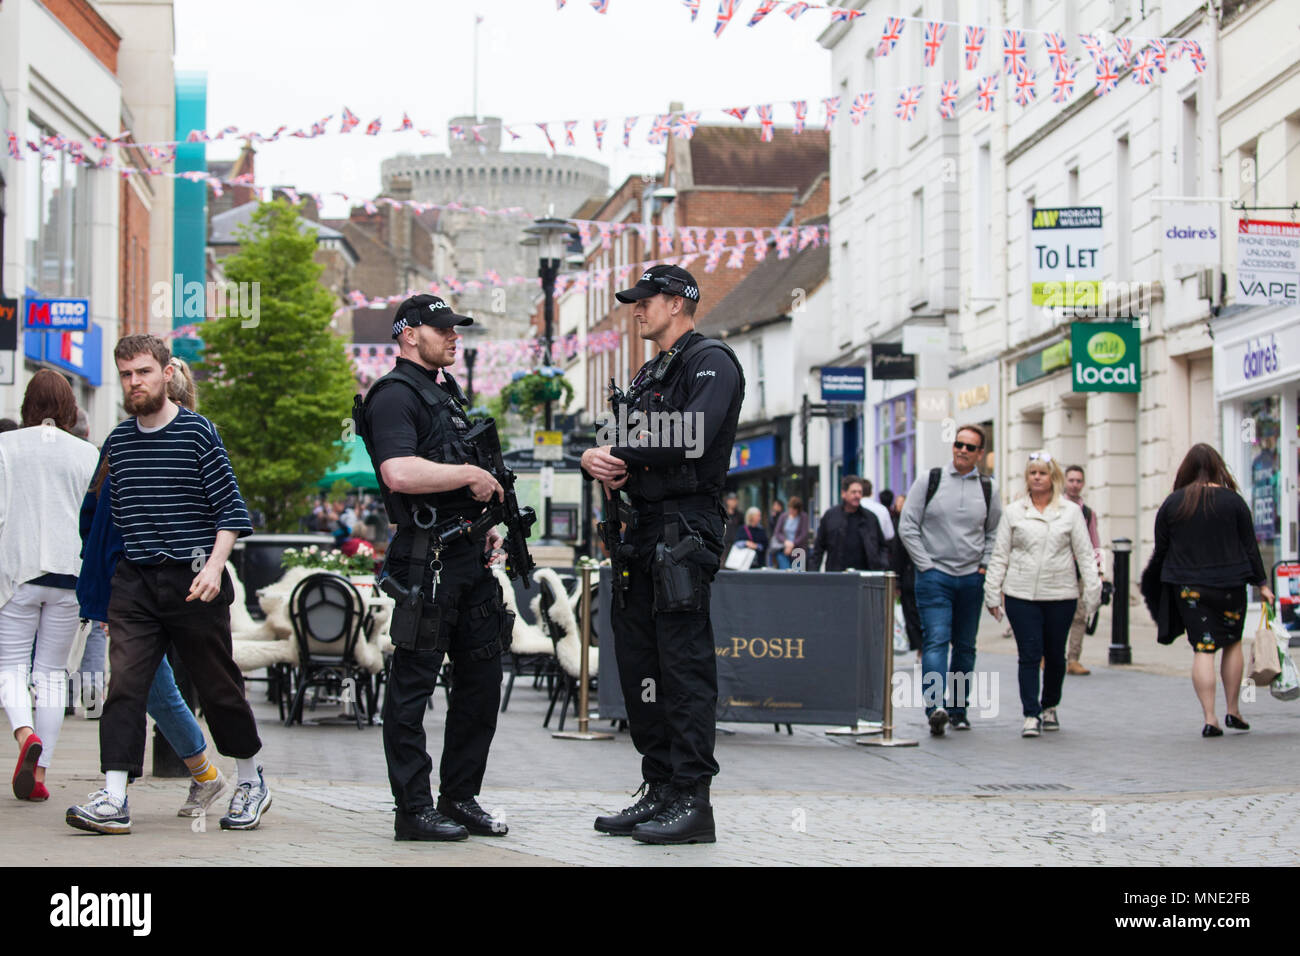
[45,474]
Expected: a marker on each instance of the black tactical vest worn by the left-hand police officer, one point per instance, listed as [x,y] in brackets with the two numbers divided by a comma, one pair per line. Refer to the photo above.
[443,443]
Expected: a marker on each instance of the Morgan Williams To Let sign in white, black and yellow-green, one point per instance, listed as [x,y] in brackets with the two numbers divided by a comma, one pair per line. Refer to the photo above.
[1065,257]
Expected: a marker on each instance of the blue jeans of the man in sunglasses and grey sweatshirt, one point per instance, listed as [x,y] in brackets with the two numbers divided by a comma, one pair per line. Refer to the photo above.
[950,611]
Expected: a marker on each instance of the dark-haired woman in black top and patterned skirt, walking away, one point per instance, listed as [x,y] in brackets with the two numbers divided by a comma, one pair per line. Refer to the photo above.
[1207,555]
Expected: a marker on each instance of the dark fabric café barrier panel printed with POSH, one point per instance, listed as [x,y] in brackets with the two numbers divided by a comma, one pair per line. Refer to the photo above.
[791,648]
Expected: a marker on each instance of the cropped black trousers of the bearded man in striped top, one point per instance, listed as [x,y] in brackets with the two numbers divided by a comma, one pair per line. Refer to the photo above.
[146,615]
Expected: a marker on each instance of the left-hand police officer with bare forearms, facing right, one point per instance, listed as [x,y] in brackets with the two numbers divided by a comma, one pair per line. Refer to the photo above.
[413,425]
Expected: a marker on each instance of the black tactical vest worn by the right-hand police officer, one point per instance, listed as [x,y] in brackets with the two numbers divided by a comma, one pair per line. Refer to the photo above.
[704,475]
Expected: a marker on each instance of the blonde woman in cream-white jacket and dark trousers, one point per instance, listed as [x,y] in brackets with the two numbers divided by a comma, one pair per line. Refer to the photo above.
[1042,551]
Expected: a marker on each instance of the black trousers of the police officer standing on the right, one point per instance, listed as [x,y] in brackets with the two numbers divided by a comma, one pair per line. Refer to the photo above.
[669,673]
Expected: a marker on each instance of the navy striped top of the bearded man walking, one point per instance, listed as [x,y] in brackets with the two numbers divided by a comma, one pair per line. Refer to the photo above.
[174,490]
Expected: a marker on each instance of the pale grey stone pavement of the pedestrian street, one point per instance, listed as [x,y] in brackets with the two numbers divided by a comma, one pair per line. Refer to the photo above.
[1128,781]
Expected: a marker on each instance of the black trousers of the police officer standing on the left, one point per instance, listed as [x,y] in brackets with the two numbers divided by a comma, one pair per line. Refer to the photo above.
[476,650]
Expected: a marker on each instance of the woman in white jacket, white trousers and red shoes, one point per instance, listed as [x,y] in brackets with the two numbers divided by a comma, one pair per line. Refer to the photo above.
[45,471]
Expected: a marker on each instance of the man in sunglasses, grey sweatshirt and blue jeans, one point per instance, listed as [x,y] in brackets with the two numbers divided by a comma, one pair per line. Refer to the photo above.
[948,526]
